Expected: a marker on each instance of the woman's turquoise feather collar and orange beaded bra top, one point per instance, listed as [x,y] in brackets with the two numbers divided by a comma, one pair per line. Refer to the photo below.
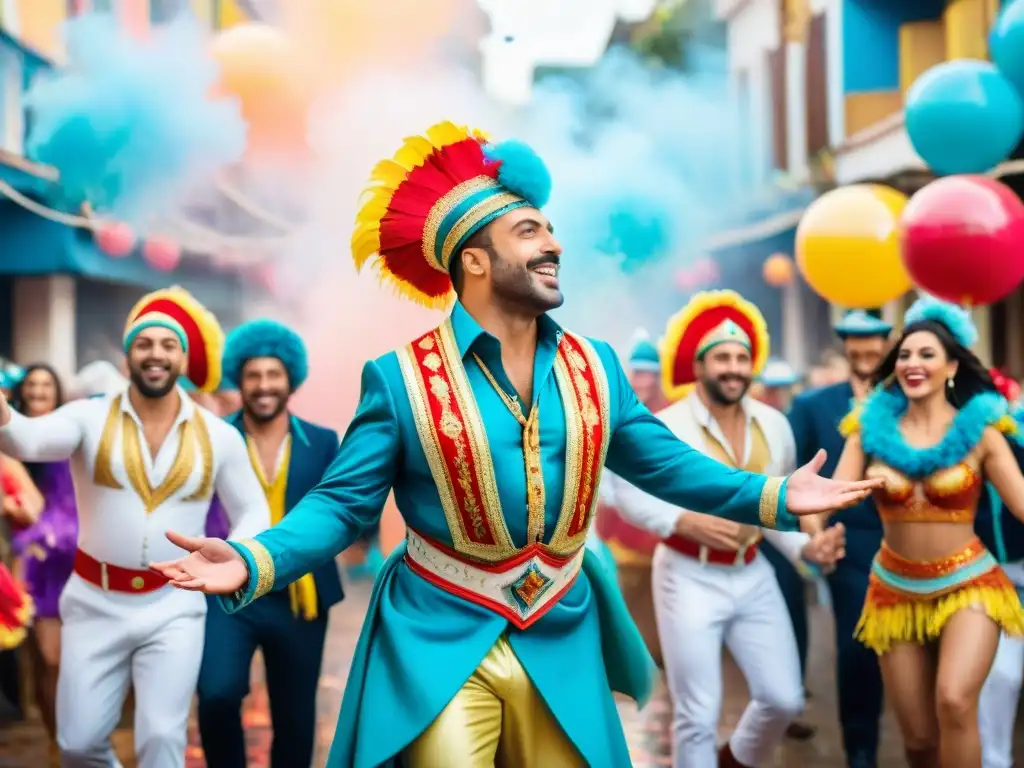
[940,484]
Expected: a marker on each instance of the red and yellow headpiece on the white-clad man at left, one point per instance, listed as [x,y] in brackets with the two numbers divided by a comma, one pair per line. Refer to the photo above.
[177,310]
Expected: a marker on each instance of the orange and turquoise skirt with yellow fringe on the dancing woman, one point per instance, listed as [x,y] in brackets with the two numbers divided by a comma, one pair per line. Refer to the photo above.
[911,602]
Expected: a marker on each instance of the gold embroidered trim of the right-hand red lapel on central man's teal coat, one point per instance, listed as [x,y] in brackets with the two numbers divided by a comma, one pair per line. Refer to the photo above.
[579,423]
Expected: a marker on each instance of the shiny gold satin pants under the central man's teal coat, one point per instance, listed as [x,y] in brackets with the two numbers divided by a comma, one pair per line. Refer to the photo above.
[497,719]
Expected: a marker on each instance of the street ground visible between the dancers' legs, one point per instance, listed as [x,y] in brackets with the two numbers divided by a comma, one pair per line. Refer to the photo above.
[23,746]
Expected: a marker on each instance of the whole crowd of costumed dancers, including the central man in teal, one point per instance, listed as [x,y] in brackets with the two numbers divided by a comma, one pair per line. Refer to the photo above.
[497,634]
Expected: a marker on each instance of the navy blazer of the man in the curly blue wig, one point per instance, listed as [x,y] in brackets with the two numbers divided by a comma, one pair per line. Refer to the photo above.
[314,448]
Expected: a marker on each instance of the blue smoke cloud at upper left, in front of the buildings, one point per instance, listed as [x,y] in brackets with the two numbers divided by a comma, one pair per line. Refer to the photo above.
[130,123]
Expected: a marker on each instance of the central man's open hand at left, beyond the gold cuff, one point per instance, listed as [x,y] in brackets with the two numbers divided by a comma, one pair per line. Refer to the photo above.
[212,567]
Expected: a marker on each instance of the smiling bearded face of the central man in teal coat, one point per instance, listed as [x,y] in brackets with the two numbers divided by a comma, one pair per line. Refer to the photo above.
[522,263]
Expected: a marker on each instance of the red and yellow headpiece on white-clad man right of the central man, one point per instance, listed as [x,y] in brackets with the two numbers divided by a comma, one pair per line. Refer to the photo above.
[711,318]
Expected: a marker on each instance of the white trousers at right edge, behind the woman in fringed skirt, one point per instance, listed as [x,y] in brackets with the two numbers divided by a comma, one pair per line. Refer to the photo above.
[1001,695]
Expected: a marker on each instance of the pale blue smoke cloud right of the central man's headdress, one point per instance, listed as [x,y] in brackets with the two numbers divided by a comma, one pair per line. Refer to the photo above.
[646,169]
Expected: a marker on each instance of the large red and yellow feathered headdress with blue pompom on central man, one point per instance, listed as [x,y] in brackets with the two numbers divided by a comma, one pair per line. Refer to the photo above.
[440,190]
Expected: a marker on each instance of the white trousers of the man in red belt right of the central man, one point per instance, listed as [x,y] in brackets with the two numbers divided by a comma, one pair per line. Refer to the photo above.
[699,609]
